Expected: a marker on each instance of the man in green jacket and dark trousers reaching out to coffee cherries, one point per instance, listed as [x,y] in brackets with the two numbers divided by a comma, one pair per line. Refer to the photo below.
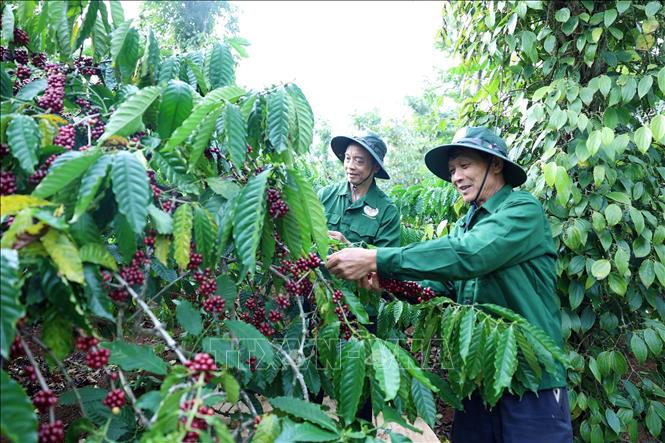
[501,252]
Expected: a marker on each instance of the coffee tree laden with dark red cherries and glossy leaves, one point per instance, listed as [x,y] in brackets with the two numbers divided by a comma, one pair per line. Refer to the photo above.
[161,256]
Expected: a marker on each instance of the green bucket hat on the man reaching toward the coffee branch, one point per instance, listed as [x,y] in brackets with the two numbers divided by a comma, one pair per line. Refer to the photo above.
[481,139]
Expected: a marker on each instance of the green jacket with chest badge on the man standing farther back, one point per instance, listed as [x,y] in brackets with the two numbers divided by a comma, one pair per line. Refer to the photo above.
[373,218]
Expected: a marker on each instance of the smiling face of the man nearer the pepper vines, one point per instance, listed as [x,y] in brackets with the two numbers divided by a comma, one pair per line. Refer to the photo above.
[467,170]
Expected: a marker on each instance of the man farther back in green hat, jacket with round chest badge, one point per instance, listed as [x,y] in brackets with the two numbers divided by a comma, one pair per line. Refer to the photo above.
[356,209]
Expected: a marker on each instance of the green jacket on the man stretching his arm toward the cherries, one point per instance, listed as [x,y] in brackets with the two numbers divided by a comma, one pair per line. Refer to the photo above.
[506,257]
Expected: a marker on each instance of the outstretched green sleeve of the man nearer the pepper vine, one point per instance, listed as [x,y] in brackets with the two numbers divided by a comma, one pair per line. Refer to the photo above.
[502,238]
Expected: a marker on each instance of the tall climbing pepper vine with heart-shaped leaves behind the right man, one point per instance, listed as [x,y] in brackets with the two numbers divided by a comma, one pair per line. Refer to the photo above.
[578,89]
